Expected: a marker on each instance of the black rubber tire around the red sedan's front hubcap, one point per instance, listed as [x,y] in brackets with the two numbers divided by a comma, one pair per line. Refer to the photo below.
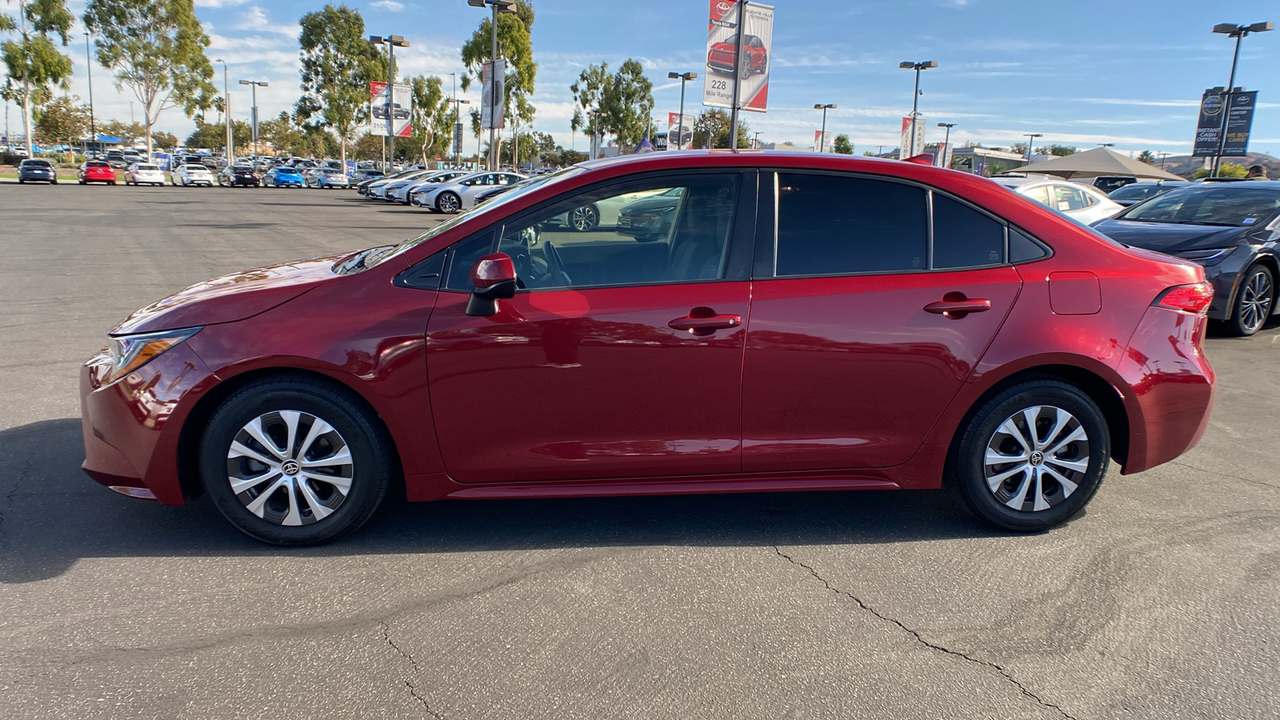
[371,452]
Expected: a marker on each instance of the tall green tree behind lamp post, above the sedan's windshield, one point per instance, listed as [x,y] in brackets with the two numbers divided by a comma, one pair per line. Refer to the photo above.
[516,47]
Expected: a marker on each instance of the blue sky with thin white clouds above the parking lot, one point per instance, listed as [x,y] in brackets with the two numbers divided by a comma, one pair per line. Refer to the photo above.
[1082,74]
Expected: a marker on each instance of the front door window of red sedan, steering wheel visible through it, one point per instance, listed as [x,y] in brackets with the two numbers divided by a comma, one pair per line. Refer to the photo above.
[633,235]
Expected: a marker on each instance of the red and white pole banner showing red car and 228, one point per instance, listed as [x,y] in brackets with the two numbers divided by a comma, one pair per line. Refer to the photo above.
[724,69]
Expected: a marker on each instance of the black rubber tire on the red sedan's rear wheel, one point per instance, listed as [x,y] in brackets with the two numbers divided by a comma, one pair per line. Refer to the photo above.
[968,466]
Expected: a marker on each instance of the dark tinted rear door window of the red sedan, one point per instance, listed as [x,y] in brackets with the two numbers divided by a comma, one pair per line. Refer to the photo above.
[830,225]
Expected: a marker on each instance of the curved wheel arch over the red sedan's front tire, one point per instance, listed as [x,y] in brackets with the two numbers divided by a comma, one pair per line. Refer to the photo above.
[189,440]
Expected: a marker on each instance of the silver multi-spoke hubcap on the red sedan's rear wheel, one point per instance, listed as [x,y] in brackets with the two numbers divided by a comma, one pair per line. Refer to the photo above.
[1036,458]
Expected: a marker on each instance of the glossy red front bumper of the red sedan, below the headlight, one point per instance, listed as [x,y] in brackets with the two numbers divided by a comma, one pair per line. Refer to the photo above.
[132,427]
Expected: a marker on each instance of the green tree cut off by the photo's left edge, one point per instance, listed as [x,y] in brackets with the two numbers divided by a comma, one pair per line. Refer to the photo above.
[34,66]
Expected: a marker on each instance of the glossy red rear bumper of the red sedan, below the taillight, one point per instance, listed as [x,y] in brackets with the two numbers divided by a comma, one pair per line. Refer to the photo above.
[1173,388]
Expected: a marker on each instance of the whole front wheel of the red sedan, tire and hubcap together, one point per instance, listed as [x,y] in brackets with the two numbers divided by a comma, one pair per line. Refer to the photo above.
[295,462]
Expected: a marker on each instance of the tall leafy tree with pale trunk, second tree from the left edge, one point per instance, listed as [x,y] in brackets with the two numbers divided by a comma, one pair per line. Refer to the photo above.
[157,49]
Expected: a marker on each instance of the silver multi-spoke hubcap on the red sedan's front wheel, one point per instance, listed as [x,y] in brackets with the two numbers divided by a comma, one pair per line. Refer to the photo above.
[290,468]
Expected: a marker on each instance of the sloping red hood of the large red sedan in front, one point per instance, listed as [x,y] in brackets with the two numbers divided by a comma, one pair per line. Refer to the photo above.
[231,298]
